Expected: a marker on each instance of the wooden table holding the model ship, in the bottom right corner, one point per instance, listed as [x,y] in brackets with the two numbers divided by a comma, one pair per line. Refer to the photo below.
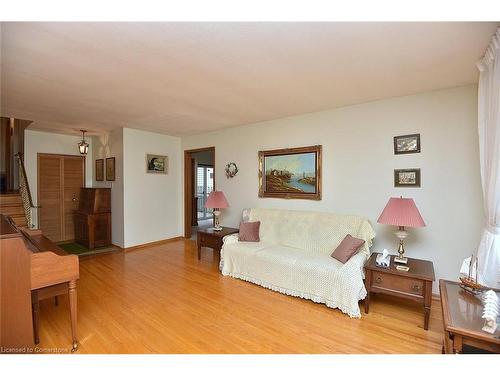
[462,322]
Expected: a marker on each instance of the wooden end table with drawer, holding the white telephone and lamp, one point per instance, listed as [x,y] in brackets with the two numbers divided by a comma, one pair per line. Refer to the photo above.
[415,284]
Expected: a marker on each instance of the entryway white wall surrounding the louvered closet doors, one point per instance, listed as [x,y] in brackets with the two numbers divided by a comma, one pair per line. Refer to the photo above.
[41,142]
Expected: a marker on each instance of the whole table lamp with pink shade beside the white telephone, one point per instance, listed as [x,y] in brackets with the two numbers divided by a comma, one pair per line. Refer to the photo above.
[401,212]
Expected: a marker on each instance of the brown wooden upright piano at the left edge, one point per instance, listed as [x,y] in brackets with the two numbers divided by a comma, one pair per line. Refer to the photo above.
[31,268]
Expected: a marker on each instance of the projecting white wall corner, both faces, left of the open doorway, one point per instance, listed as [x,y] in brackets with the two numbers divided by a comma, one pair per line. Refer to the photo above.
[145,207]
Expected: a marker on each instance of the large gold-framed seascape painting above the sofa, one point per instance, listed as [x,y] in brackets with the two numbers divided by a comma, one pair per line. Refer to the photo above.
[290,173]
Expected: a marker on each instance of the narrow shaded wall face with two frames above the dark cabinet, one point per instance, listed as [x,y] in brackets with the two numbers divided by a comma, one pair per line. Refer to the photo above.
[106,146]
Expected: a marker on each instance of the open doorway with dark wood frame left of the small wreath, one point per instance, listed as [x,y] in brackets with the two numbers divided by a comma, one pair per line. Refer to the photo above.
[199,182]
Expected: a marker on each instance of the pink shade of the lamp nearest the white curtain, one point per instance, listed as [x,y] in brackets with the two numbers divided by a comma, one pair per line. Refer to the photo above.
[401,212]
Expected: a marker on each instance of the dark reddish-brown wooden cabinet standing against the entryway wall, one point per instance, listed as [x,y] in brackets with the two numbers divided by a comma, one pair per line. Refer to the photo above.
[93,218]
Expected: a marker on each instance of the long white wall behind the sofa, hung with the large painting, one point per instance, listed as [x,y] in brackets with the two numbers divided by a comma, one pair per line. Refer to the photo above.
[358,164]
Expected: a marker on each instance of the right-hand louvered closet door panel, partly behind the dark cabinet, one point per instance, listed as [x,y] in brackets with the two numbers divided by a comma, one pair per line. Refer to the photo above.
[73,180]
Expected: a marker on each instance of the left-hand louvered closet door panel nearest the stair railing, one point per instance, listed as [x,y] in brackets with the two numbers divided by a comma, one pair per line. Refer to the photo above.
[50,197]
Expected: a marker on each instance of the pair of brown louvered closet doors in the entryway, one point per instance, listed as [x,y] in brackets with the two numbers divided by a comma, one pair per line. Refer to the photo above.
[60,178]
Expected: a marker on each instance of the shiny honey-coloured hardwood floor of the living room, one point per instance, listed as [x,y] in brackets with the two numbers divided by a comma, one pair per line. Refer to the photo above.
[161,299]
